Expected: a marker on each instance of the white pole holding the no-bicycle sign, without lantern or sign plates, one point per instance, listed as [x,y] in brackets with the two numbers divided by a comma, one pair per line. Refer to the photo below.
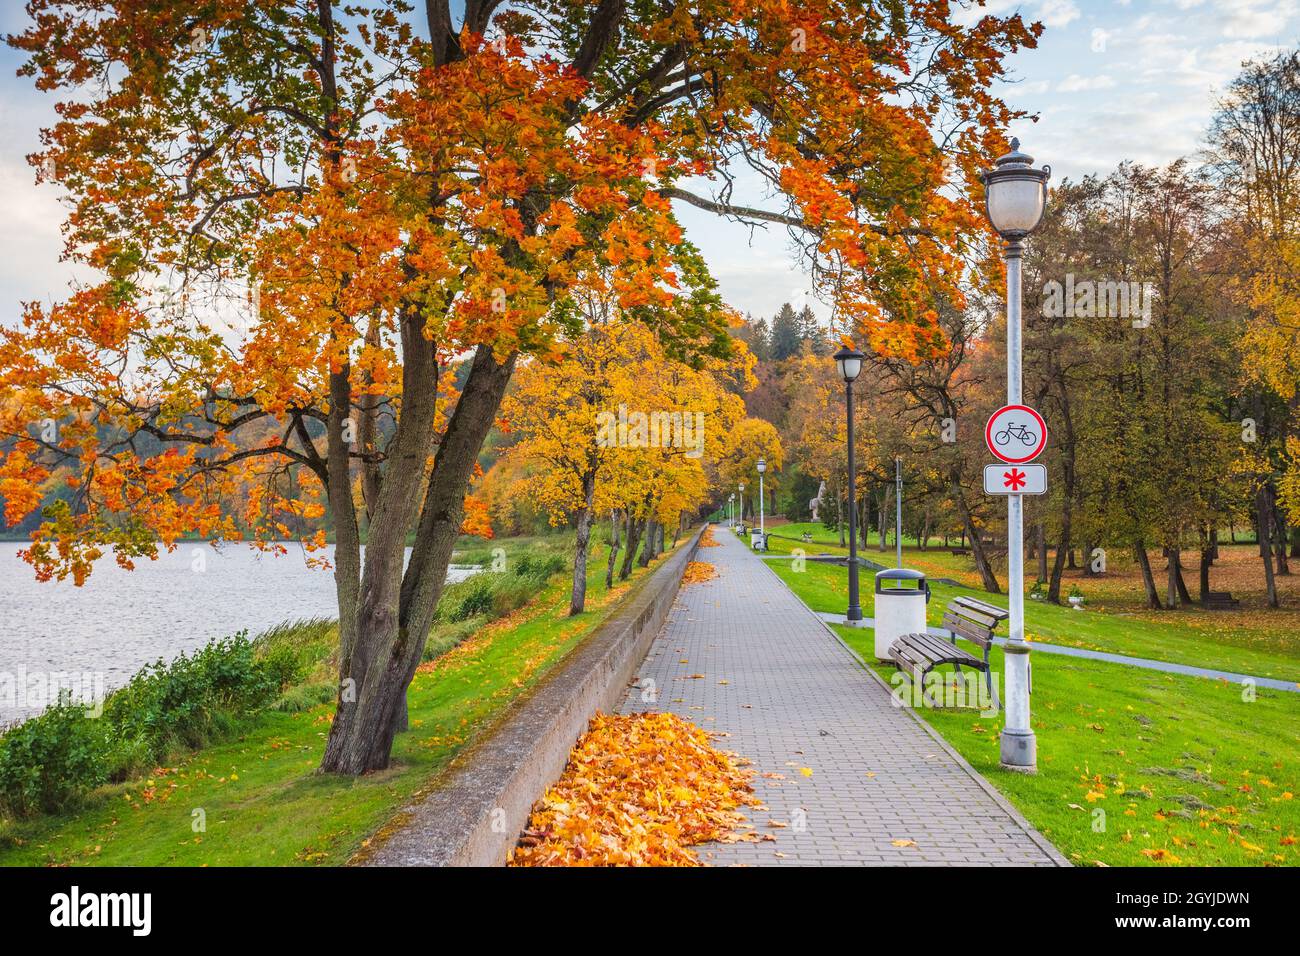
[1019,746]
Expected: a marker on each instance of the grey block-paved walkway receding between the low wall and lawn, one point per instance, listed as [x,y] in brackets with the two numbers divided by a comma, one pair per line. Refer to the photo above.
[853,778]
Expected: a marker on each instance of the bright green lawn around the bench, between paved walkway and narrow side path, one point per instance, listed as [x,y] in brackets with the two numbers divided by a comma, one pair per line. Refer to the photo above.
[1134,767]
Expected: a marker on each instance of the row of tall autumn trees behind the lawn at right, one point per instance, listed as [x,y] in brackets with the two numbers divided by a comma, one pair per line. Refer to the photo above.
[1163,347]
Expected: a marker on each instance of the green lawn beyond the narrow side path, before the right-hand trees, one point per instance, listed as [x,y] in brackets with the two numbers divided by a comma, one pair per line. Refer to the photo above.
[1224,641]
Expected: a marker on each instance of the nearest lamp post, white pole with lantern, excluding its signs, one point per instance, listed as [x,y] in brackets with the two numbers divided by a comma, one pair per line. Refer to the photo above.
[1015,200]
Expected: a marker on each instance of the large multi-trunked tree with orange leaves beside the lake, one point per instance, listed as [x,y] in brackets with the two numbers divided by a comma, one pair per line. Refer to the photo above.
[409,201]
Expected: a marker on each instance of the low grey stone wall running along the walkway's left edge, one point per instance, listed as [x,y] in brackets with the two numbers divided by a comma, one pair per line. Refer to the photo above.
[476,812]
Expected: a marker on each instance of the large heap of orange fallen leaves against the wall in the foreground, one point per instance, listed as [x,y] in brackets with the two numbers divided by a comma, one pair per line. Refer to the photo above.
[640,790]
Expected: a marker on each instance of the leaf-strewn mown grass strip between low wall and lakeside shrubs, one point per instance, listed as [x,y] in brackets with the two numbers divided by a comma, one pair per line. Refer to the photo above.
[259,797]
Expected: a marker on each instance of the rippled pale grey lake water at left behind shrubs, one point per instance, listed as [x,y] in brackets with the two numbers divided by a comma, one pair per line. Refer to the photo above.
[94,638]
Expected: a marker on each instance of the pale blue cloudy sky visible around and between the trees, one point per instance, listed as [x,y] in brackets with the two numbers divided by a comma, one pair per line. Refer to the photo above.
[1111,80]
